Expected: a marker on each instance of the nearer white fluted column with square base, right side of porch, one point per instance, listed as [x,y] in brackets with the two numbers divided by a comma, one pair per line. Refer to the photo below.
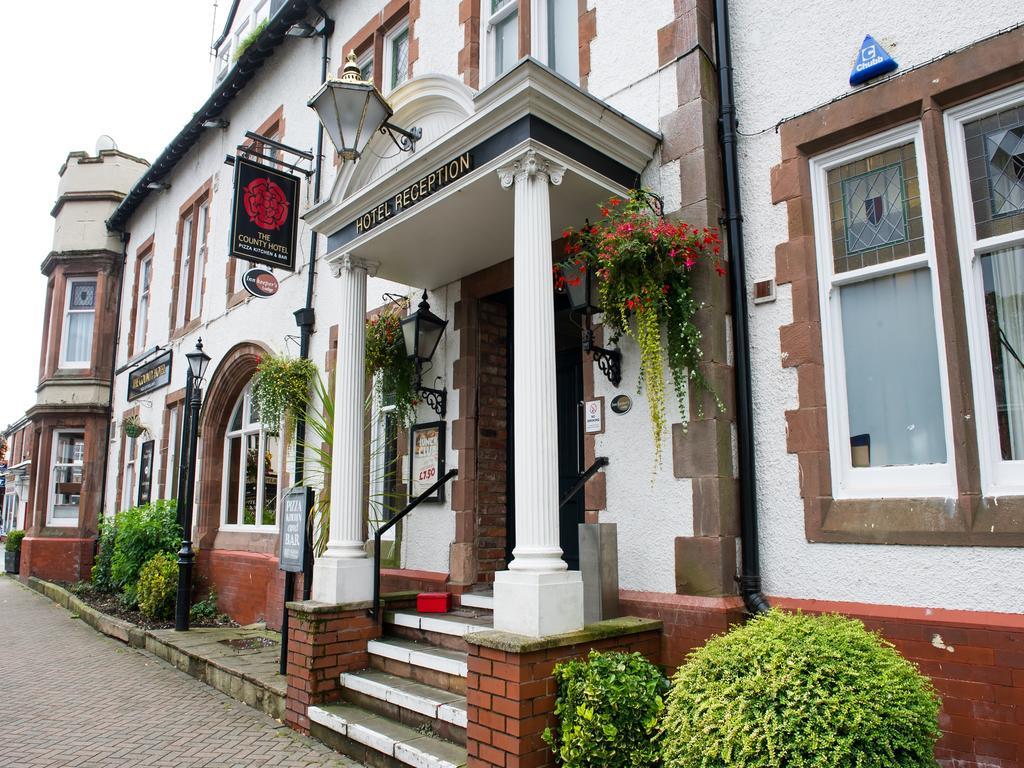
[537,595]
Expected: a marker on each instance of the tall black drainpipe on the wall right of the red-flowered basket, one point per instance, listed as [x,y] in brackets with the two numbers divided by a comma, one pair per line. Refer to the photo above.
[750,574]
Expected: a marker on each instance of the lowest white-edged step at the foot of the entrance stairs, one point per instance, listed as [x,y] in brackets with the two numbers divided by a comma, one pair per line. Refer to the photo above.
[389,738]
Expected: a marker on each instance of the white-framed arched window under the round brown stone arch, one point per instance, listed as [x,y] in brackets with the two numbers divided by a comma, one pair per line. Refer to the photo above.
[251,458]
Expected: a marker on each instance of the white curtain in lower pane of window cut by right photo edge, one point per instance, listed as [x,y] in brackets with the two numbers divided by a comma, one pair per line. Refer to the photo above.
[1008,279]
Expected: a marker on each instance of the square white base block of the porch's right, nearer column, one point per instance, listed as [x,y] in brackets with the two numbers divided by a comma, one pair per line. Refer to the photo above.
[538,605]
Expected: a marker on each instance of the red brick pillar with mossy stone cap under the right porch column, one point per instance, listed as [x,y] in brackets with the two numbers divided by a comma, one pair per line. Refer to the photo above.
[510,689]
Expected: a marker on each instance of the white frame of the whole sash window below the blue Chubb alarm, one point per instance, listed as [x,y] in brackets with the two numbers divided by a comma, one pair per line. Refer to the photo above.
[923,481]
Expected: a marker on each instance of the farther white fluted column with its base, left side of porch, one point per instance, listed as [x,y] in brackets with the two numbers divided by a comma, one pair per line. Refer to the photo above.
[345,573]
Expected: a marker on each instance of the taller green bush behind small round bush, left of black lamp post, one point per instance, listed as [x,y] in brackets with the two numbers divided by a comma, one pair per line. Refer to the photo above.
[143,532]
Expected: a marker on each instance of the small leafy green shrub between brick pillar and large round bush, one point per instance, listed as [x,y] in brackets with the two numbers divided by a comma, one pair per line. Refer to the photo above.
[610,711]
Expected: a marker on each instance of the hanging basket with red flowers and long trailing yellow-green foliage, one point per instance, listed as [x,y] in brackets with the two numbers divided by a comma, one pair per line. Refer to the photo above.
[645,267]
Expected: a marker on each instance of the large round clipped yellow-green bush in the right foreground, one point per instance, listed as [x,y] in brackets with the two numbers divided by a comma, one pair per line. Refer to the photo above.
[795,691]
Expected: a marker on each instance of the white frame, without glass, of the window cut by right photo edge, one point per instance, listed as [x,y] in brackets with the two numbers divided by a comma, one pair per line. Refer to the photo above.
[999,477]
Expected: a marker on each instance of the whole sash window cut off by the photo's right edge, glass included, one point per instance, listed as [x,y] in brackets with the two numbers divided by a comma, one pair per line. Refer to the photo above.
[987,159]
